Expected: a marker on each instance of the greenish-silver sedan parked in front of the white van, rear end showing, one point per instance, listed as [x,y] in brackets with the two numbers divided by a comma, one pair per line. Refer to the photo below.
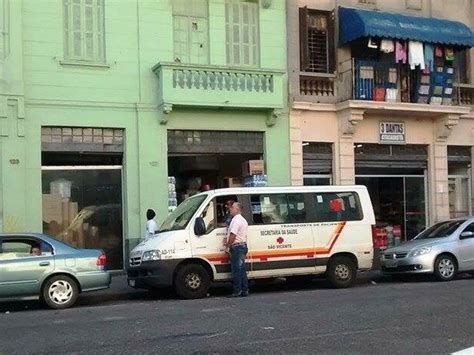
[38,265]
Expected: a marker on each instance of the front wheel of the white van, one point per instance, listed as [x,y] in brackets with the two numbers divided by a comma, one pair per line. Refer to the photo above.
[191,281]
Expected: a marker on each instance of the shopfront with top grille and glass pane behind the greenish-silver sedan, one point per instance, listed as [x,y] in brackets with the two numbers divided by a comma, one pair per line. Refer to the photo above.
[82,188]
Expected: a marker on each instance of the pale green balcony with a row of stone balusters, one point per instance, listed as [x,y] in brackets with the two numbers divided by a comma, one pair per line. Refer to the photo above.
[189,85]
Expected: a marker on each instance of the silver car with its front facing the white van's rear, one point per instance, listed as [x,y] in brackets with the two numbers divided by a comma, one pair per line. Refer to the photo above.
[444,249]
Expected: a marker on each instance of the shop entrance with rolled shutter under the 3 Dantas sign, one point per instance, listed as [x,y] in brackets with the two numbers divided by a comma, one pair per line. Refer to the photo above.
[395,176]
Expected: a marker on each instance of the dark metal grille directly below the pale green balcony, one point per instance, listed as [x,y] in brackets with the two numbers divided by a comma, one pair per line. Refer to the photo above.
[214,142]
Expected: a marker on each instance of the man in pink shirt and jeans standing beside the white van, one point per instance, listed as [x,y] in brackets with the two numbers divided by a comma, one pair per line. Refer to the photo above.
[236,241]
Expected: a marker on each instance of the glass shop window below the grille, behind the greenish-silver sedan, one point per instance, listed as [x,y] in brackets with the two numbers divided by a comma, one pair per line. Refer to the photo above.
[82,206]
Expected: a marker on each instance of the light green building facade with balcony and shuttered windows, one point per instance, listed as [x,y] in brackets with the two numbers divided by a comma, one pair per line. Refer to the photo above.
[102,100]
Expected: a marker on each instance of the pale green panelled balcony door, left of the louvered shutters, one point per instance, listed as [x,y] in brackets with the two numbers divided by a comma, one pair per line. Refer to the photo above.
[190,31]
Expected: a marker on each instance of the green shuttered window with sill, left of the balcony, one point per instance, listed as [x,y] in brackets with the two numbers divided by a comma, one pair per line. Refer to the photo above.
[84,30]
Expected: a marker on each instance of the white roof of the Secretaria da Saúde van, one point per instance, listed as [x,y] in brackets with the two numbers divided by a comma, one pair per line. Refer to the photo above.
[251,190]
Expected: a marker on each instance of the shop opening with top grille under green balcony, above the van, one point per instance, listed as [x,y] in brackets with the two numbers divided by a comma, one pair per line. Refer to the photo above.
[201,160]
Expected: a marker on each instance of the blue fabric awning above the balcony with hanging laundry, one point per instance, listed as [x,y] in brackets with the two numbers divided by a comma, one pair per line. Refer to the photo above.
[356,23]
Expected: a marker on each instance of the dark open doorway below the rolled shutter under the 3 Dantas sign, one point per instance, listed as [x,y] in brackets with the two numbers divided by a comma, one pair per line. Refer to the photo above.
[399,204]
